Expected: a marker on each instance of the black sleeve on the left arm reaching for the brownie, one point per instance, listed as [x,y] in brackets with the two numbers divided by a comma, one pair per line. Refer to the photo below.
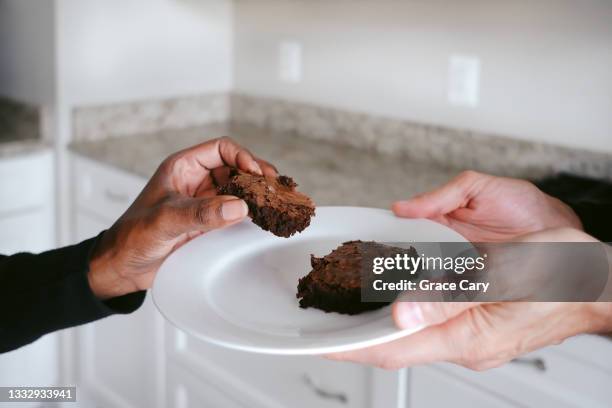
[41,293]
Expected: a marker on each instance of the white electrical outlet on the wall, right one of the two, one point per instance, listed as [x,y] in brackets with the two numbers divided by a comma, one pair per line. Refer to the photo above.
[464,80]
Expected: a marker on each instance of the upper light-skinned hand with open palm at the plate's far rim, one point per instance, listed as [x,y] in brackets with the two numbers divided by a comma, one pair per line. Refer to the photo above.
[486,208]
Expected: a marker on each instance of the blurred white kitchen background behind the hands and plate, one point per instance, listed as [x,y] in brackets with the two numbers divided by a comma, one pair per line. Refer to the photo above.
[362,101]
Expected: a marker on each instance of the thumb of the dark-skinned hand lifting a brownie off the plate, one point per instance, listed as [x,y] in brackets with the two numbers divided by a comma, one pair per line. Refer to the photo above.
[202,214]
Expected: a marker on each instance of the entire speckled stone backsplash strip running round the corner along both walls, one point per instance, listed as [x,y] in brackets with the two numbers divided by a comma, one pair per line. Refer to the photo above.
[446,147]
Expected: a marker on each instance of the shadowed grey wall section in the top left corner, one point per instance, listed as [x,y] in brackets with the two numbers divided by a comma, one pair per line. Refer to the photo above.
[26,50]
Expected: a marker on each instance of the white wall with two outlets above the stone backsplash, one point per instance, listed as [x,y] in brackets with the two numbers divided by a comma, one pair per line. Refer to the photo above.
[546,65]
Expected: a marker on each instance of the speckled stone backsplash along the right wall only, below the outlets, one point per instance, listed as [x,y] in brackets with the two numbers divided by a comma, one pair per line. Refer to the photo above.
[419,142]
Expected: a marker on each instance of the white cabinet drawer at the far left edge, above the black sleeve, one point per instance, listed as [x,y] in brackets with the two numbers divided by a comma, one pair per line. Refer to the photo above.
[26,182]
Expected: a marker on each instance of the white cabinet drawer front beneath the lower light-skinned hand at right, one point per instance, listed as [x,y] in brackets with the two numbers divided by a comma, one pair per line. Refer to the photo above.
[558,380]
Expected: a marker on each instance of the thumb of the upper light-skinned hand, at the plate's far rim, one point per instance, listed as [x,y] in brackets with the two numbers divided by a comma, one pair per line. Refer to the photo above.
[443,200]
